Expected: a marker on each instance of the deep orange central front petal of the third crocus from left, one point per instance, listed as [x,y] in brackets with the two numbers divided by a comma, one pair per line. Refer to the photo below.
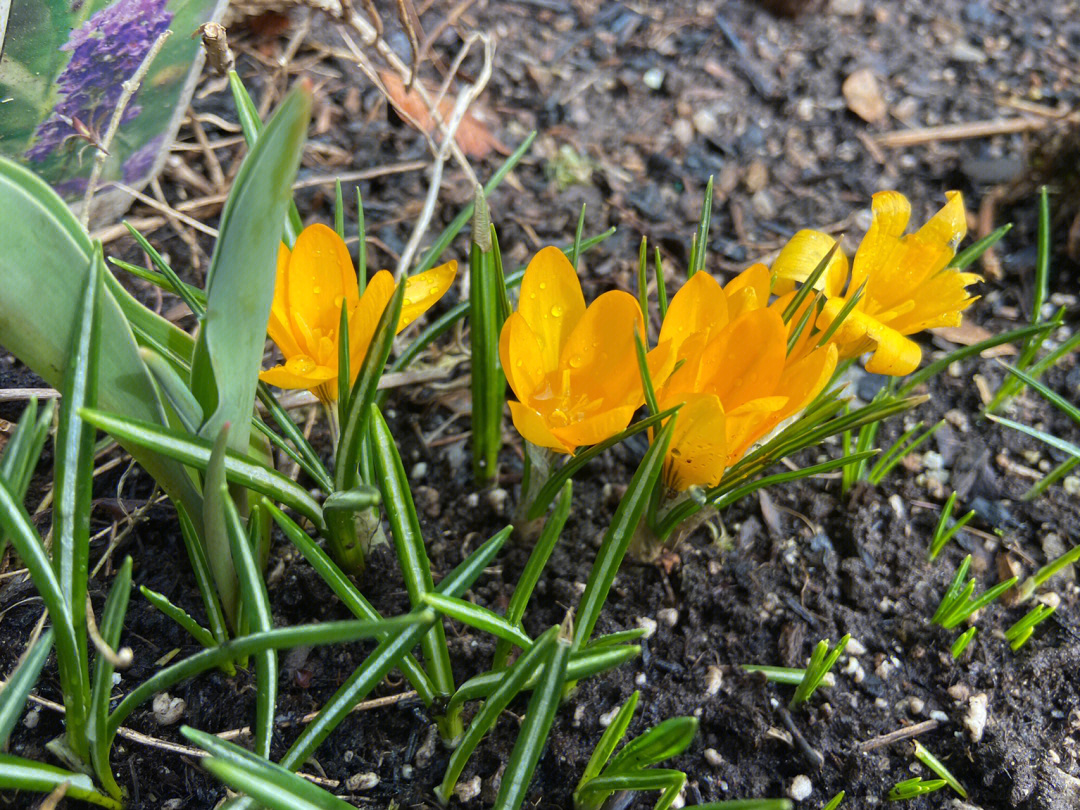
[746,361]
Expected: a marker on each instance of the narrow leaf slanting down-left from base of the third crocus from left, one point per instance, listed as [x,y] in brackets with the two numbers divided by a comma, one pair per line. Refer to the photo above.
[619,534]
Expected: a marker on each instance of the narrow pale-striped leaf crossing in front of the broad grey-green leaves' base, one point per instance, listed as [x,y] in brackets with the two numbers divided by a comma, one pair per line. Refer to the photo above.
[195,452]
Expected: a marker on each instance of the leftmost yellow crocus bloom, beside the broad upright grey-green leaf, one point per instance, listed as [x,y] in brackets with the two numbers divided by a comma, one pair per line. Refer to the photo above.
[315,280]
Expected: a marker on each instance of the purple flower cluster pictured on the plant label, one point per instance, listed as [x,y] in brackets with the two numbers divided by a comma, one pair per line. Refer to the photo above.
[106,51]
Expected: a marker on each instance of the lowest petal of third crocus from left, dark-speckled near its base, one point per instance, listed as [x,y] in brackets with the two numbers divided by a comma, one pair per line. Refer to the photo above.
[698,452]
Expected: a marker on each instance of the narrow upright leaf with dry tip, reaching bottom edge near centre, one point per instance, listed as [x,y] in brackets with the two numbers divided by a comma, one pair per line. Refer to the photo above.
[535,727]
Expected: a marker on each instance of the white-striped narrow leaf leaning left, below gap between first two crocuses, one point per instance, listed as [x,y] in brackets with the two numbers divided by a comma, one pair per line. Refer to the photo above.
[409,544]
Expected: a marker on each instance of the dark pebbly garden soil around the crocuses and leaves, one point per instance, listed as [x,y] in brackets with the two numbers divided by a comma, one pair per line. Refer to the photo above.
[742,93]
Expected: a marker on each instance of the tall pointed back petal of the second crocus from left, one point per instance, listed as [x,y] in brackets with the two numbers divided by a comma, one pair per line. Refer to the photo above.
[551,303]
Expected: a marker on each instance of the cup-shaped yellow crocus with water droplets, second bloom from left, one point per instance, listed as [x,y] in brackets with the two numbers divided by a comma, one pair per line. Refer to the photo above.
[573,369]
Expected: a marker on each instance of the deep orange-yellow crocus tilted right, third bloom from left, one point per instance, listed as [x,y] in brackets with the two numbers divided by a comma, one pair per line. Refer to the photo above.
[734,375]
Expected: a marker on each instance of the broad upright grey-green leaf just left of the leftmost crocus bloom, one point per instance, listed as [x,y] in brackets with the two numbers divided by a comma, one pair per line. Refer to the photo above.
[240,281]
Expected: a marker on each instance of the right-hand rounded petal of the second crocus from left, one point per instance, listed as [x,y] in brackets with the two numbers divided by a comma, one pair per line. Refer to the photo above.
[601,354]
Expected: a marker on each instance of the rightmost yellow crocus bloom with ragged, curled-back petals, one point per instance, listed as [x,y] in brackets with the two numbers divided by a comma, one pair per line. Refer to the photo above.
[903,281]
